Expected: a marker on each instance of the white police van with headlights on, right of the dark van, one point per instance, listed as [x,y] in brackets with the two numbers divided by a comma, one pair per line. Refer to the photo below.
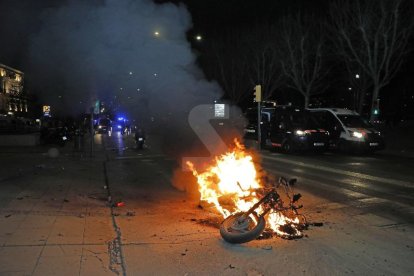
[348,130]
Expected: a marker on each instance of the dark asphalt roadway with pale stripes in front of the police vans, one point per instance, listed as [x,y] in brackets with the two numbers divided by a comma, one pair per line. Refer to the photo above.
[379,184]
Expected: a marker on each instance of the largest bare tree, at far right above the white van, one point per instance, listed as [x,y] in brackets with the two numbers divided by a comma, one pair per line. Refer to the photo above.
[373,35]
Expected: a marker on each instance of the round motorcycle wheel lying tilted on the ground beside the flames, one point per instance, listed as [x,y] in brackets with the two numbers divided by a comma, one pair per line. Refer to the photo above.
[236,229]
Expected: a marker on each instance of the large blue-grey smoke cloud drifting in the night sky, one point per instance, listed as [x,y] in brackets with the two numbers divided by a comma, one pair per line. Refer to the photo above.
[131,55]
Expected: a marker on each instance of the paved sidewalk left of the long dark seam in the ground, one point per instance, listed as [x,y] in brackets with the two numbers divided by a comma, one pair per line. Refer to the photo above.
[54,219]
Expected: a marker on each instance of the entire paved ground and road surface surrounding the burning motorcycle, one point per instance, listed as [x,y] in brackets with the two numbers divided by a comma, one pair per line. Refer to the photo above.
[56,218]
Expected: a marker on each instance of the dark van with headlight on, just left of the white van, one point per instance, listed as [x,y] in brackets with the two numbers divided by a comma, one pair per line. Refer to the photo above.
[296,130]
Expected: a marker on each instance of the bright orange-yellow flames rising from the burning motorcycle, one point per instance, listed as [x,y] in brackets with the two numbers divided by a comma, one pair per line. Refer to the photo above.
[231,184]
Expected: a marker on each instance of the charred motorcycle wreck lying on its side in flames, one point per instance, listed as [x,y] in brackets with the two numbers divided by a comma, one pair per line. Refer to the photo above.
[246,226]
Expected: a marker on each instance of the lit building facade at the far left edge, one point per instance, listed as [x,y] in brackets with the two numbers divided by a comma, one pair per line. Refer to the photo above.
[12,99]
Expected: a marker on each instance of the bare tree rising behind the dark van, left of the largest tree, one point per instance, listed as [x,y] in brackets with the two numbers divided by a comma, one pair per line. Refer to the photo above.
[302,53]
